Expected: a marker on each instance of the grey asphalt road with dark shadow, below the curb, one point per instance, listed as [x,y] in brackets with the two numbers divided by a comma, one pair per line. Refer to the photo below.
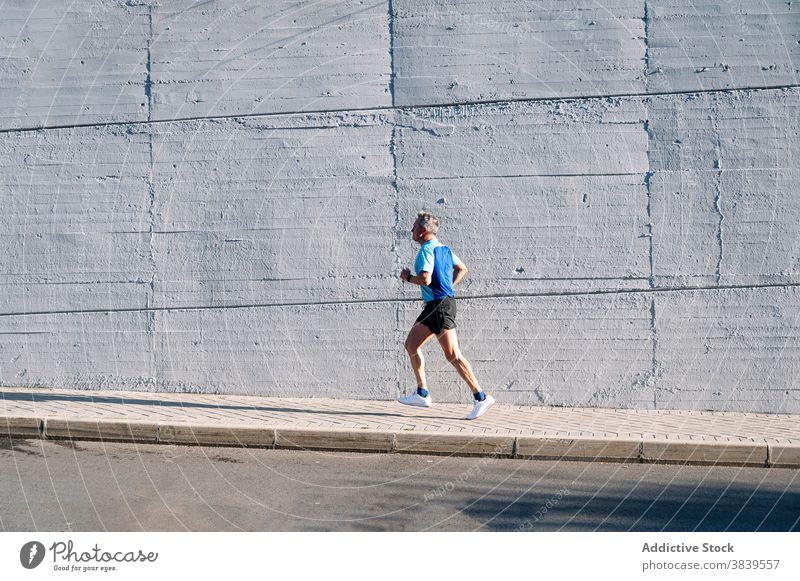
[91,486]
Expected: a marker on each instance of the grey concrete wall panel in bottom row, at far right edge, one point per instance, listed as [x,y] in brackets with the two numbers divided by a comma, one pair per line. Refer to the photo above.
[710,344]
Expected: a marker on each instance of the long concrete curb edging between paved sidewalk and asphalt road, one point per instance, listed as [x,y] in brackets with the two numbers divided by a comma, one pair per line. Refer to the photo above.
[587,449]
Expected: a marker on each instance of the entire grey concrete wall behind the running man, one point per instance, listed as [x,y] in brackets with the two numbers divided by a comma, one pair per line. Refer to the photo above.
[216,196]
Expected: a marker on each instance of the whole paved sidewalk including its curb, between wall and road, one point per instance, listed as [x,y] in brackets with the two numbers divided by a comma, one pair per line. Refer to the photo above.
[740,439]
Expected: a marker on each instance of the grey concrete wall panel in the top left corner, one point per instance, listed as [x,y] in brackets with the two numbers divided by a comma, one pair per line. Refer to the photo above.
[65,63]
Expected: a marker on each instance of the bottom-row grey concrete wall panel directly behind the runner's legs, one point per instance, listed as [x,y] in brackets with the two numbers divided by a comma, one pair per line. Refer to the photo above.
[549,350]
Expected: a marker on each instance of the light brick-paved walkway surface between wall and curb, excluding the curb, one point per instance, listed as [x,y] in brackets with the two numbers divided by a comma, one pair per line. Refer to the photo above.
[666,425]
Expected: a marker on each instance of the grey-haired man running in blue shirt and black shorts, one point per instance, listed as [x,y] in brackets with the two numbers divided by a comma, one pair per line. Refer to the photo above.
[438,271]
